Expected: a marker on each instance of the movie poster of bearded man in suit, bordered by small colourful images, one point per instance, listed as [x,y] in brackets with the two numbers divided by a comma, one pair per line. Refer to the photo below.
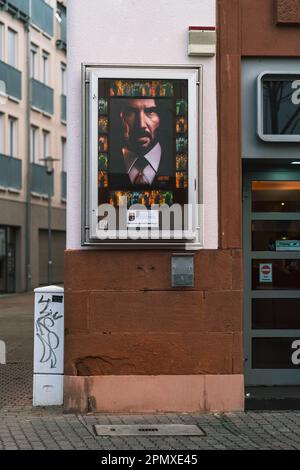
[142,143]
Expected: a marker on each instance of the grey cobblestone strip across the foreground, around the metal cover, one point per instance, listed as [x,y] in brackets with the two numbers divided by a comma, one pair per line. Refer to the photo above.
[25,428]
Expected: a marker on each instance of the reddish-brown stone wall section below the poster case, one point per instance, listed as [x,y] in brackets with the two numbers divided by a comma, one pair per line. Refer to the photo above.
[123,318]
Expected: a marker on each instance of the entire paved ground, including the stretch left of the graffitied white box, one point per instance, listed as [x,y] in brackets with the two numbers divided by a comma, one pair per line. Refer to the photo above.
[22,427]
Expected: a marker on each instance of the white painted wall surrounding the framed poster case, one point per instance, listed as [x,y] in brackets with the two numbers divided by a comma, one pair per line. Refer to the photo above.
[138,32]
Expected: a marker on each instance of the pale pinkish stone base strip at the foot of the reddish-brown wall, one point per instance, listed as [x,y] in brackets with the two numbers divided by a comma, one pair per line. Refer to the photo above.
[150,394]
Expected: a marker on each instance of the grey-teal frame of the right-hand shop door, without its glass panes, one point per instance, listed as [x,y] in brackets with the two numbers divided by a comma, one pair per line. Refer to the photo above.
[265,376]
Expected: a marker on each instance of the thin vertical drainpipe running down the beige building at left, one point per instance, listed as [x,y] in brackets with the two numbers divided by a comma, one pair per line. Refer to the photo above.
[28,162]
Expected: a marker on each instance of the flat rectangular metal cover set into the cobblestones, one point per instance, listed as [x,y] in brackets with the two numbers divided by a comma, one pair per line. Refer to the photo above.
[145,430]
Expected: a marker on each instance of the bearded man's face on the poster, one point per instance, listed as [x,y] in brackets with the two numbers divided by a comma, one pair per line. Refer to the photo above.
[140,122]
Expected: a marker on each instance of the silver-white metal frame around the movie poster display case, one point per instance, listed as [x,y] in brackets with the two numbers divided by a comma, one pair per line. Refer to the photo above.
[87,70]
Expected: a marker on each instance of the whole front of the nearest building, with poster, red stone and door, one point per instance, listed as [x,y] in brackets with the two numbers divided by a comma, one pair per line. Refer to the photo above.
[182,324]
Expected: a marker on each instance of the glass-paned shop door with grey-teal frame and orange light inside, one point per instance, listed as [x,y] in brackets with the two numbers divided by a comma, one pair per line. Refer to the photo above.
[271,243]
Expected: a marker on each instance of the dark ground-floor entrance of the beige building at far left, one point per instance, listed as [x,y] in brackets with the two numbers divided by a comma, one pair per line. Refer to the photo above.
[7,259]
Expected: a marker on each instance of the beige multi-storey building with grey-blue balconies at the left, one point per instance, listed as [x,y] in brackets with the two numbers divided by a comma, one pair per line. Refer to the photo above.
[32,126]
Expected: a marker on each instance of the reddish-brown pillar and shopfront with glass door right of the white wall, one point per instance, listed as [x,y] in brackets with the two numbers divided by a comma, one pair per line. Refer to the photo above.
[259,155]
